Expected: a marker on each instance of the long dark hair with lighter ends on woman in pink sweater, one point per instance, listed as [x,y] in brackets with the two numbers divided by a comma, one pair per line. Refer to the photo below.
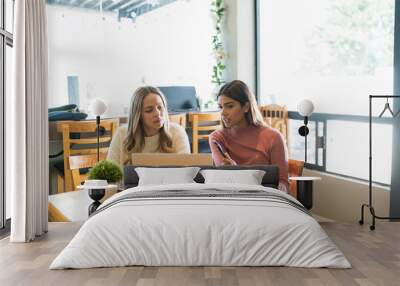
[239,91]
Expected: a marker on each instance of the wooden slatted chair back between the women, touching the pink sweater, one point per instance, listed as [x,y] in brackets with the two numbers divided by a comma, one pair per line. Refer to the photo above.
[202,125]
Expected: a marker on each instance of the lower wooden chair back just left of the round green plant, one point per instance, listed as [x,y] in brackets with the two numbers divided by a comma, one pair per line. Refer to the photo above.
[82,161]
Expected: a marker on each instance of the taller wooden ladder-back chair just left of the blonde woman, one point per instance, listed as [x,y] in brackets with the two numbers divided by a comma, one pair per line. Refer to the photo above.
[79,138]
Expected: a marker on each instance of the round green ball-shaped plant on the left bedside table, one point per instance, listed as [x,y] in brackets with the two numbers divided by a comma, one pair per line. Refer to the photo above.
[106,170]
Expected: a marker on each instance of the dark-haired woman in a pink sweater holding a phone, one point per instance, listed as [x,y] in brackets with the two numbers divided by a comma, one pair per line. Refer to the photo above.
[244,138]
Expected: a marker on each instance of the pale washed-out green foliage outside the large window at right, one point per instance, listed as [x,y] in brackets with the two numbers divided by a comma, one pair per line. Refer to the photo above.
[356,39]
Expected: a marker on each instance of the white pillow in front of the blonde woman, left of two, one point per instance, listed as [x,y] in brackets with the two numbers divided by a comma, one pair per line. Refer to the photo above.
[166,176]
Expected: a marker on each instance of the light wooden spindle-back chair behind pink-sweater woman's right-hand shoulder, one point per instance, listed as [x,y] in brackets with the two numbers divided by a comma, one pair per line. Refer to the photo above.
[276,116]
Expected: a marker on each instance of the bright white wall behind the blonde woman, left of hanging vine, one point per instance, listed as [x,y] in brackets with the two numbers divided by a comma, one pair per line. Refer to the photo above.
[168,46]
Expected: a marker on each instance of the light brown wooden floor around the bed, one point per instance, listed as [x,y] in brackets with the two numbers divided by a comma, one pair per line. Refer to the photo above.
[375,257]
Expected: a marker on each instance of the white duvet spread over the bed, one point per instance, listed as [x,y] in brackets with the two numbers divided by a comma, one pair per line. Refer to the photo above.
[200,231]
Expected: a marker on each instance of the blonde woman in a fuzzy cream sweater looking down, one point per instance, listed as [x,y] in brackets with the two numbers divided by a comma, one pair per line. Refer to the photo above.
[148,130]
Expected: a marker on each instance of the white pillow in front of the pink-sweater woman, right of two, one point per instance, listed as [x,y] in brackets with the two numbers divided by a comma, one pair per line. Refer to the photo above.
[249,177]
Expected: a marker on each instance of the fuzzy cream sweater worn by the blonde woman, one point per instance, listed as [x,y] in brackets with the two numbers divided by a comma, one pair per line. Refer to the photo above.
[116,151]
